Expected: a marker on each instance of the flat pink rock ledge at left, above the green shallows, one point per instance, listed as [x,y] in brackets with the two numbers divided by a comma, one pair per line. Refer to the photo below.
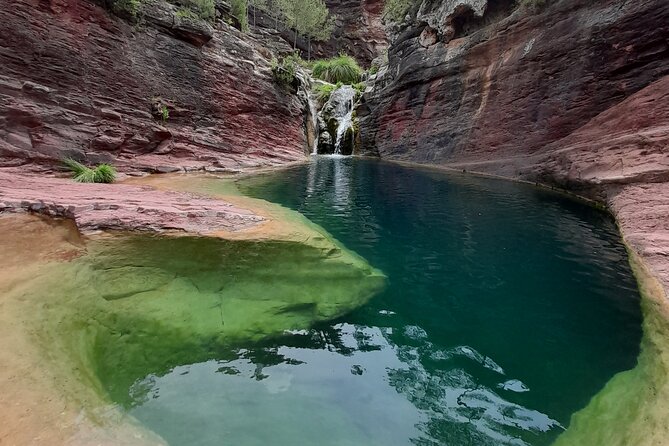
[120,206]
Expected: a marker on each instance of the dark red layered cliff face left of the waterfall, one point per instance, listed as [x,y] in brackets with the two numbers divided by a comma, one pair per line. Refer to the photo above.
[78,81]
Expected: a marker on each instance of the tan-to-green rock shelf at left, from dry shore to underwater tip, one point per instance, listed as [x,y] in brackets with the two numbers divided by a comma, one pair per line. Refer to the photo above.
[87,334]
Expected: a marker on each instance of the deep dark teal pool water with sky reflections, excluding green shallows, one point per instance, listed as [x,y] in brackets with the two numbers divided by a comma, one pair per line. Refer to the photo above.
[507,308]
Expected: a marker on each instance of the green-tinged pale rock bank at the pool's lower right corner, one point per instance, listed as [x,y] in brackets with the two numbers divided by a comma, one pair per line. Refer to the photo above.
[633,406]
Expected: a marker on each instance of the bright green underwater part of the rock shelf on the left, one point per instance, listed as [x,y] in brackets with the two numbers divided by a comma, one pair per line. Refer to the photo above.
[136,305]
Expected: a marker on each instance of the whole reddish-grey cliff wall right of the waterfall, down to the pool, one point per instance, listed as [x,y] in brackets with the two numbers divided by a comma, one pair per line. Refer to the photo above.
[575,95]
